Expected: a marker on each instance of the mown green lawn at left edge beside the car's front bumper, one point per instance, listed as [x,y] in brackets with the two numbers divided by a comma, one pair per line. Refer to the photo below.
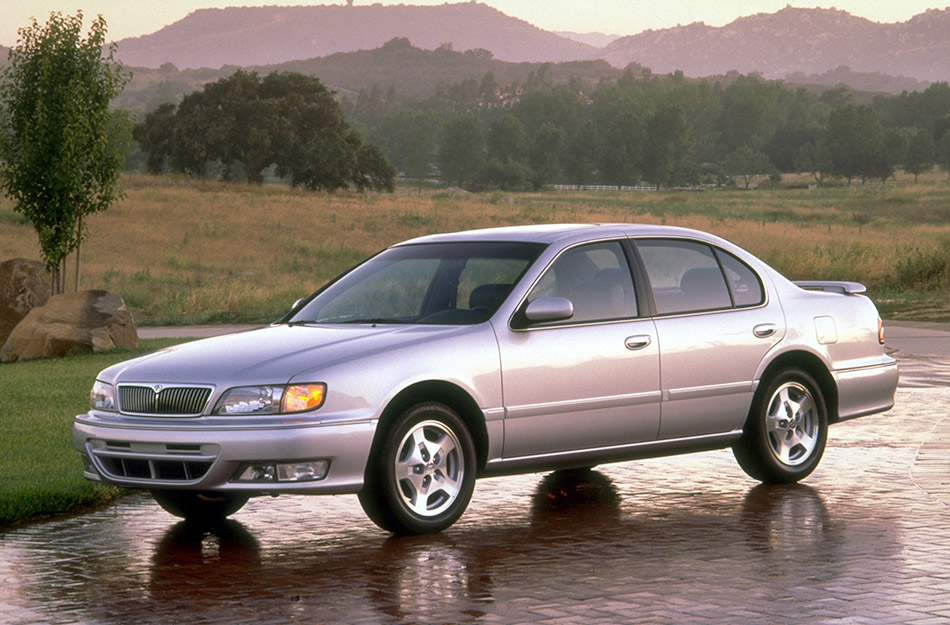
[40,473]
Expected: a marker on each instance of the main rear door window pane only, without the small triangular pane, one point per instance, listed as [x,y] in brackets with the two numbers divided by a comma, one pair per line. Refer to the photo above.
[685,276]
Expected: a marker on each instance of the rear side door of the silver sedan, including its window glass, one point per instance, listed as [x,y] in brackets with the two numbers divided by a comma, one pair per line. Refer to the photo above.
[715,324]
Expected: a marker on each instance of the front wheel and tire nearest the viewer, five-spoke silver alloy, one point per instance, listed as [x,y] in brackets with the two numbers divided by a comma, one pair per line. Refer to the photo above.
[423,476]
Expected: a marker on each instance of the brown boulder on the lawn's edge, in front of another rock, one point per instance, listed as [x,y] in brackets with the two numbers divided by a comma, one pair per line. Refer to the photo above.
[72,323]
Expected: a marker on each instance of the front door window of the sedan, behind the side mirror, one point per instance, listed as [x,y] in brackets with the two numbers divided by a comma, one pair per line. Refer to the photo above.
[596,278]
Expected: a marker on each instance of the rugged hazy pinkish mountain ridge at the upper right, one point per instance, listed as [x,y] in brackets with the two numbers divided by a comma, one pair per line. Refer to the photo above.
[812,41]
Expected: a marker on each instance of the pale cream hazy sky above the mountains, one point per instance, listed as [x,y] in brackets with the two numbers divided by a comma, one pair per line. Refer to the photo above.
[131,18]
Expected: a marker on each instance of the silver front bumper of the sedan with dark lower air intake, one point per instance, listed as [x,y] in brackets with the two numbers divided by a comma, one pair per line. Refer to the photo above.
[170,454]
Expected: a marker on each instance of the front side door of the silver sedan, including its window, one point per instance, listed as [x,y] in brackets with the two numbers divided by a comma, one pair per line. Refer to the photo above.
[586,382]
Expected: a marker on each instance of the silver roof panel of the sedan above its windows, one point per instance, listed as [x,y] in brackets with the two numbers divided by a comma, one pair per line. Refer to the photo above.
[551,233]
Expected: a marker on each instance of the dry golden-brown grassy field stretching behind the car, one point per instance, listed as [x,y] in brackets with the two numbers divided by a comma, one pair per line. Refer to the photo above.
[182,251]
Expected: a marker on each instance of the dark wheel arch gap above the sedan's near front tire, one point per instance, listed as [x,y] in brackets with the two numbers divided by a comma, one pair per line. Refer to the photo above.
[442,392]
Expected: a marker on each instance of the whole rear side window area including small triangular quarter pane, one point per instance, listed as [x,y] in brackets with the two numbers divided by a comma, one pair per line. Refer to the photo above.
[688,276]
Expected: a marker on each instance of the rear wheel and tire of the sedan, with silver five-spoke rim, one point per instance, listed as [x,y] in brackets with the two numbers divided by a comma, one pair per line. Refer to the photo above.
[785,434]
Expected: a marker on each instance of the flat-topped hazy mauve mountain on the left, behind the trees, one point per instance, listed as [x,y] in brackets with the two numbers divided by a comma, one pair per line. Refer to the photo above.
[246,36]
